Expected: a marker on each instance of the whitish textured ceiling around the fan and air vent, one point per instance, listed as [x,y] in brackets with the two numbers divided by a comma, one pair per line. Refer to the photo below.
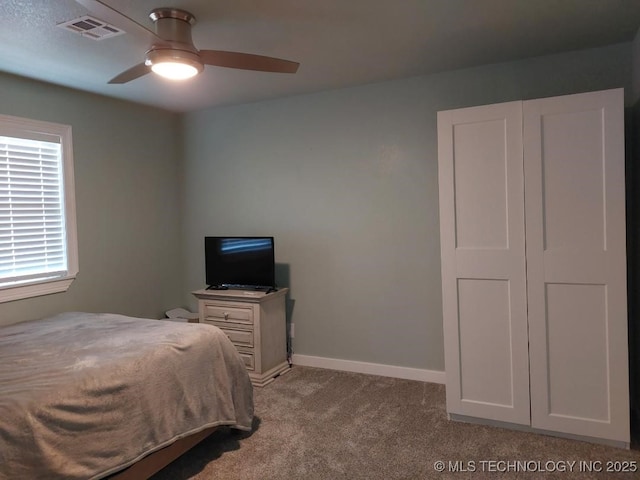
[338,43]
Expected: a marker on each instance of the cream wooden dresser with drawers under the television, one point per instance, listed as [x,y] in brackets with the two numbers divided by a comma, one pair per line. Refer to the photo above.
[255,322]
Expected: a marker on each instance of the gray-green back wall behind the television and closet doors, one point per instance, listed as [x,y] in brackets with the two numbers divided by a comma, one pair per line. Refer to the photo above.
[346,180]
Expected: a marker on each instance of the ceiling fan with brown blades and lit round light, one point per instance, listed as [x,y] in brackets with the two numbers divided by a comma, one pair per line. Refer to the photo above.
[171,52]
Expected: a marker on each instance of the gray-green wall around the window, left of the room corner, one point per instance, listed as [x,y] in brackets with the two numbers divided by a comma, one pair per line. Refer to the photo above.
[127,198]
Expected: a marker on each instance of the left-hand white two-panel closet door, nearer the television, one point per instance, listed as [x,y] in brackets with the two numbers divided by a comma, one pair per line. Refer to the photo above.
[483,262]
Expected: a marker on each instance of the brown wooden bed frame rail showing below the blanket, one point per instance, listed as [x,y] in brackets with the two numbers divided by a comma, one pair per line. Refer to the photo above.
[156,461]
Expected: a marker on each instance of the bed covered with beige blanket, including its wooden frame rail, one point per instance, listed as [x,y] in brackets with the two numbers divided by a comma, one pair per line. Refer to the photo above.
[89,396]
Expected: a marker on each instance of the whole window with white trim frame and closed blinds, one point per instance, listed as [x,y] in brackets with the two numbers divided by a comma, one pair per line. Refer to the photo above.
[38,246]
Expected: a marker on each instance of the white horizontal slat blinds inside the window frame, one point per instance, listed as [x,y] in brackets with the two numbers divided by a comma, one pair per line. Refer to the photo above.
[32,221]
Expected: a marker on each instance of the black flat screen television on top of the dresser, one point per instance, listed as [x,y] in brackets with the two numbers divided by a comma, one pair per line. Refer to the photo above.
[240,262]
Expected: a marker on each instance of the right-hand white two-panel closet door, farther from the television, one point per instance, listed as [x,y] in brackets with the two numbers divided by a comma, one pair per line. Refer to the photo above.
[575,223]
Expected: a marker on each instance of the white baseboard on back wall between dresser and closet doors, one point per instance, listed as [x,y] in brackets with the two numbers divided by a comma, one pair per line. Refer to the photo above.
[407,373]
